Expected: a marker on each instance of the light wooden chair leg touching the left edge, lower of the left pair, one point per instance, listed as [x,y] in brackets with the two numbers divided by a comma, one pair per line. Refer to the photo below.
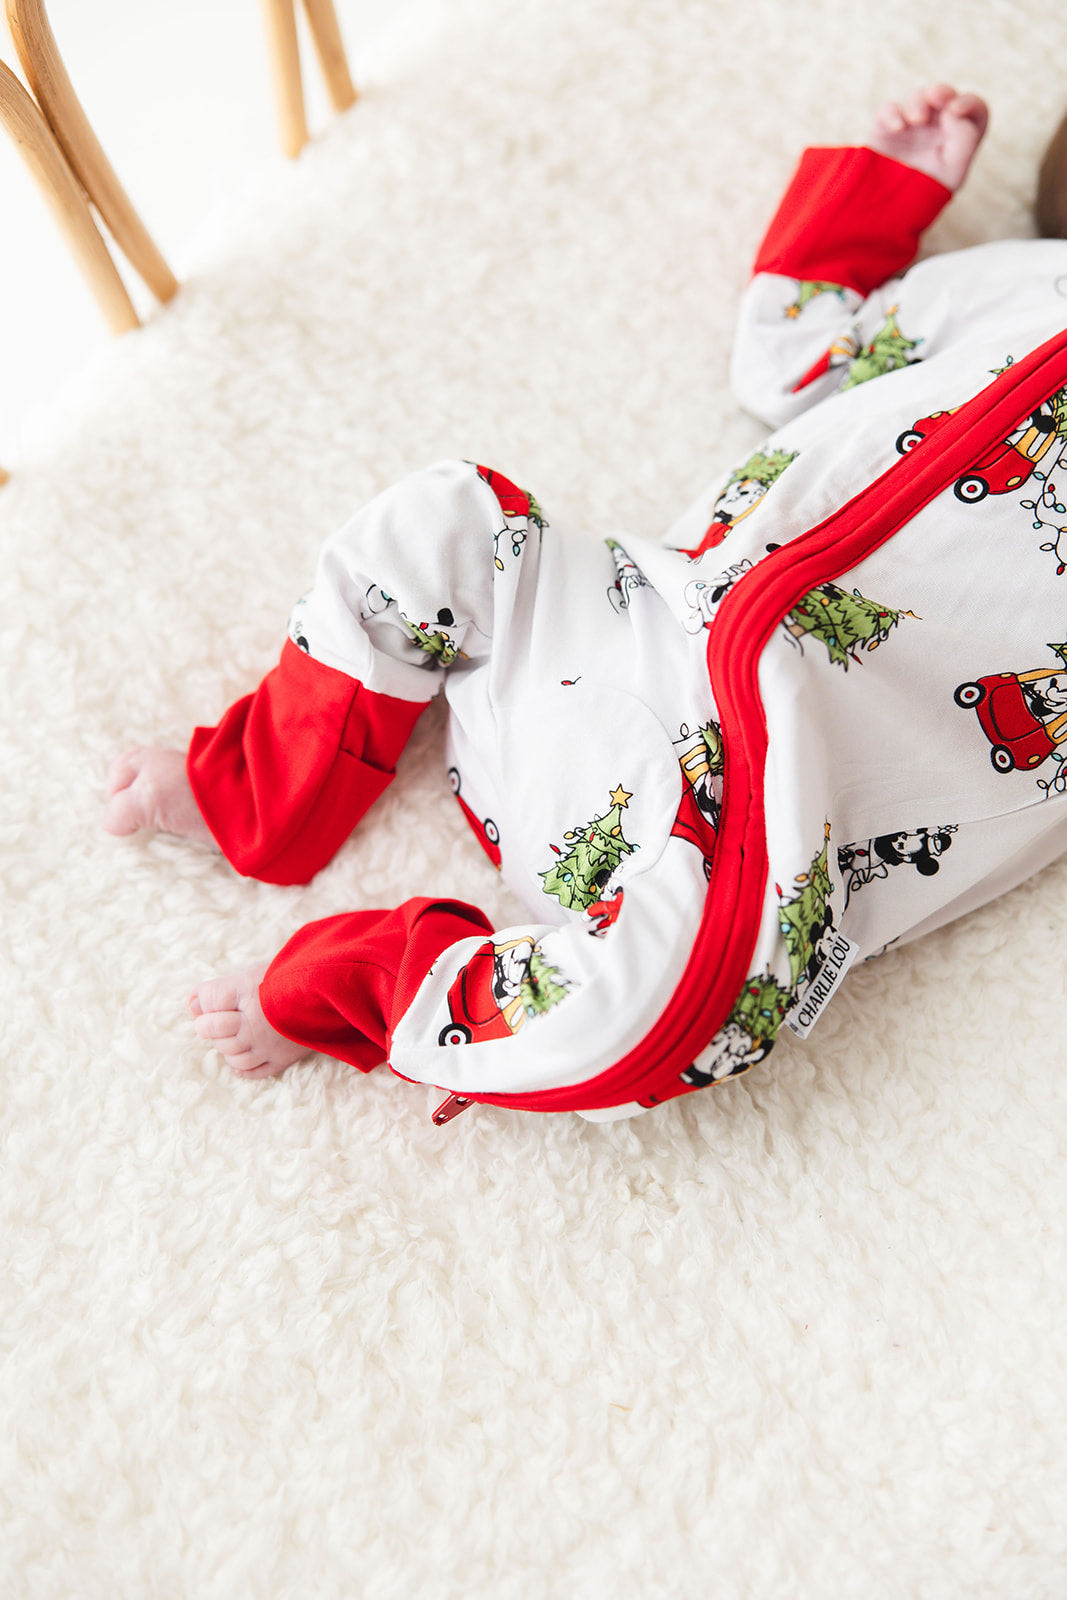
[66,201]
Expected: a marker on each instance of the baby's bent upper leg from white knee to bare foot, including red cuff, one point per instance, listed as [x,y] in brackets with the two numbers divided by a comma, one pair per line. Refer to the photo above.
[402,593]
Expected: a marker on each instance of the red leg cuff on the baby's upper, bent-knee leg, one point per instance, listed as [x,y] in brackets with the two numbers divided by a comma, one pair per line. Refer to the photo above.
[292,769]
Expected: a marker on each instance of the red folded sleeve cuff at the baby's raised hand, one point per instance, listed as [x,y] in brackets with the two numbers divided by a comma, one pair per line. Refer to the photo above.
[850,217]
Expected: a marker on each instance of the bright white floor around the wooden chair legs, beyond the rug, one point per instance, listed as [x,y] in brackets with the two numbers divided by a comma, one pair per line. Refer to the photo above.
[180,97]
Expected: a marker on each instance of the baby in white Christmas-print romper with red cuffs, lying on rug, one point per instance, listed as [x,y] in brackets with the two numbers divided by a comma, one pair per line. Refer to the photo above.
[677,753]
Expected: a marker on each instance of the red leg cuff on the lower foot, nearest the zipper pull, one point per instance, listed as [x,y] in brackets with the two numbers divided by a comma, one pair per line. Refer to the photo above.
[343,985]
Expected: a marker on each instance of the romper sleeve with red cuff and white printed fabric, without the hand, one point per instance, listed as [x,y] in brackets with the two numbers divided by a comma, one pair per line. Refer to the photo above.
[826,273]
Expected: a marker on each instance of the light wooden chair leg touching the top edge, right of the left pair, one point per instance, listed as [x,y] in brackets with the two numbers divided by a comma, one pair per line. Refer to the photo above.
[49,79]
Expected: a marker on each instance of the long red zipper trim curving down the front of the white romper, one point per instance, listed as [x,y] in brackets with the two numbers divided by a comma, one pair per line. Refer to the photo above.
[741,630]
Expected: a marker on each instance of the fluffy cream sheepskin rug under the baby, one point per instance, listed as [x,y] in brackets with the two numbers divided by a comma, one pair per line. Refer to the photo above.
[796,1337]
